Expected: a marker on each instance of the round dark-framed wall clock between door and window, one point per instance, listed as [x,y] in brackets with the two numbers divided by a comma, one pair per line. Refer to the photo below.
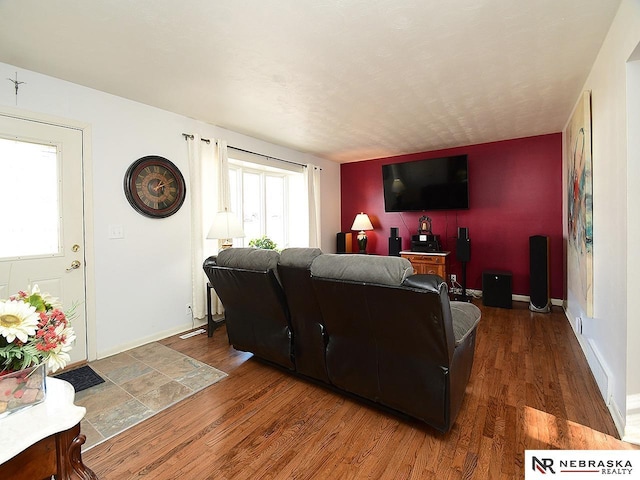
[154,187]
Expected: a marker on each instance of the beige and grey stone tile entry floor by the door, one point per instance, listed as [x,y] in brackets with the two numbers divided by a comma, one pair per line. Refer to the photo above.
[138,384]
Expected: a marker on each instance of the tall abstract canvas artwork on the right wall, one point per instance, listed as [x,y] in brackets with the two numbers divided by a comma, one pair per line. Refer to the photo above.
[577,144]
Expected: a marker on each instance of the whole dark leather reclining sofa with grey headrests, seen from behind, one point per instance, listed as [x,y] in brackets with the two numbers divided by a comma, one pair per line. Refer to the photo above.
[362,324]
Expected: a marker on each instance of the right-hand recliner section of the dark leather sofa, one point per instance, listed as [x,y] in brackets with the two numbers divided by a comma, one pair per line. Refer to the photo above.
[394,337]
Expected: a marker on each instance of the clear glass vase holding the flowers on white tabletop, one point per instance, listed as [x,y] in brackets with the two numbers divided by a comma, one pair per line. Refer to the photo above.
[22,389]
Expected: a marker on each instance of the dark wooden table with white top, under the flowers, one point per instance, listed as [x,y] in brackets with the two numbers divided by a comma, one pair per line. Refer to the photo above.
[45,439]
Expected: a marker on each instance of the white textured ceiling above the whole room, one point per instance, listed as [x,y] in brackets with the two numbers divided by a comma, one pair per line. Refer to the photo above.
[341,79]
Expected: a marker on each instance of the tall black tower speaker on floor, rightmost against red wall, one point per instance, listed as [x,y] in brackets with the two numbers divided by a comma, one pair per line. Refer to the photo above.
[539,295]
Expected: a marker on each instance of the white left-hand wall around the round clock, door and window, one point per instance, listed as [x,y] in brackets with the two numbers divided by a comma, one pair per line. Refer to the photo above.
[143,281]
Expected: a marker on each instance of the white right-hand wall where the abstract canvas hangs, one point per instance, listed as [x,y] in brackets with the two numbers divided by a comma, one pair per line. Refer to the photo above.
[615,204]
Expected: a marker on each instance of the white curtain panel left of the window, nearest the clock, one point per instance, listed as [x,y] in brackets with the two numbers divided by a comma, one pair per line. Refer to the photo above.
[201,185]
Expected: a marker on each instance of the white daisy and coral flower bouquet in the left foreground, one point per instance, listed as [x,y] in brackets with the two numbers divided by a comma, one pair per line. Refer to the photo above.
[33,330]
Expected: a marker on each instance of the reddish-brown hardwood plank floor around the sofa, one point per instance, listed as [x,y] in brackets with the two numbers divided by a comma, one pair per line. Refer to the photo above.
[530,389]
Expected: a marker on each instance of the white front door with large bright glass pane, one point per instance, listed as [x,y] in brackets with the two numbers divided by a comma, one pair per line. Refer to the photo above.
[41,207]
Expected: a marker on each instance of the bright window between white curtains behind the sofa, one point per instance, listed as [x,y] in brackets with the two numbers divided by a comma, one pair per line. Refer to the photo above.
[270,199]
